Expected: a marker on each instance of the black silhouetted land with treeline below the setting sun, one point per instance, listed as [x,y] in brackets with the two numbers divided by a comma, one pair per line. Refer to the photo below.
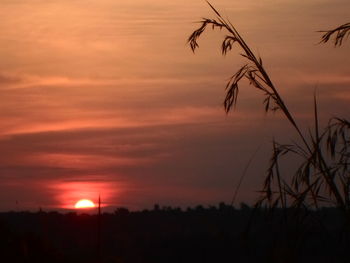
[215,234]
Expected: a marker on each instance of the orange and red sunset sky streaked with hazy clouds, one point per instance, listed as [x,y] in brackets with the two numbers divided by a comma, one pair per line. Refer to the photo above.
[105,97]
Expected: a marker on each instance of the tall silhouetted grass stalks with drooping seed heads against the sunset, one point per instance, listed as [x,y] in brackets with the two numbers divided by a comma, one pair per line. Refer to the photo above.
[315,162]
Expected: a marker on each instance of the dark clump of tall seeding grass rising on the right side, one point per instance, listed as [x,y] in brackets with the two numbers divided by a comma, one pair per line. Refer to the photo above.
[323,176]
